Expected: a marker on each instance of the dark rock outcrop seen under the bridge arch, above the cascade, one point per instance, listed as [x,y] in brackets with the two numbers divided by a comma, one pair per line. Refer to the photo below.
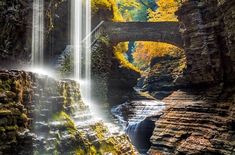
[164,75]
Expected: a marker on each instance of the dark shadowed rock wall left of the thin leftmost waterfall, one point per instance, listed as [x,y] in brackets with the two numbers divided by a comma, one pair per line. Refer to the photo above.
[15,28]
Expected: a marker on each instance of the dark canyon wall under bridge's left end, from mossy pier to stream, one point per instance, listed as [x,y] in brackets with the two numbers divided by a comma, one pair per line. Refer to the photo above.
[111,81]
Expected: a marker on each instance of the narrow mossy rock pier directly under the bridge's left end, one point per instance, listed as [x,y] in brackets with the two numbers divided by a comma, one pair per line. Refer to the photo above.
[100,68]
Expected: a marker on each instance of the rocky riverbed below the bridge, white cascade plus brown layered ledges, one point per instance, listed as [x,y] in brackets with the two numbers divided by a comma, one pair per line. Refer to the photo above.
[186,122]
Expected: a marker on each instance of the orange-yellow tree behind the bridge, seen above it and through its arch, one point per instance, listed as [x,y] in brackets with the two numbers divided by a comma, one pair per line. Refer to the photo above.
[145,51]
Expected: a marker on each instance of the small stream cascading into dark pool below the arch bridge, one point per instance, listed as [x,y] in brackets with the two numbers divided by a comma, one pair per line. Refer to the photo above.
[134,117]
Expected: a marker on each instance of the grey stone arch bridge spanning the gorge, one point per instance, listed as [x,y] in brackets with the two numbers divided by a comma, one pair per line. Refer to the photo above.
[167,32]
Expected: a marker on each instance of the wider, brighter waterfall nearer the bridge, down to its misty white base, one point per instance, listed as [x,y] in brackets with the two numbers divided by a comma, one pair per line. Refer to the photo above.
[81,41]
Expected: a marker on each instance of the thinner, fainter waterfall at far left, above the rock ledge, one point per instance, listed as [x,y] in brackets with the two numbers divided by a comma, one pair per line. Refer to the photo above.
[38,33]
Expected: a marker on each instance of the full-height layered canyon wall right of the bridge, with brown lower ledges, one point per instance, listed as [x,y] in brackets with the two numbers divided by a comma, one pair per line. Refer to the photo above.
[200,120]
